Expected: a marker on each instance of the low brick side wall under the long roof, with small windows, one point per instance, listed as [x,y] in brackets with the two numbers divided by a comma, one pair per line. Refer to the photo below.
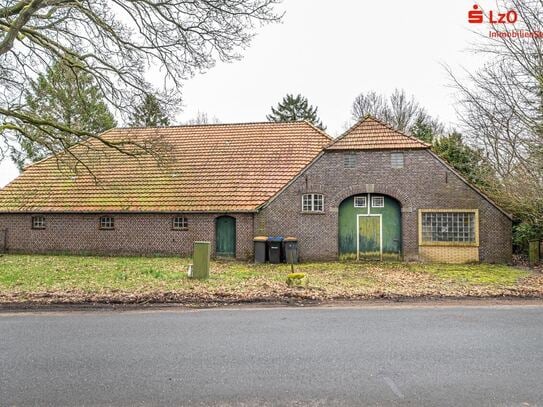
[133,234]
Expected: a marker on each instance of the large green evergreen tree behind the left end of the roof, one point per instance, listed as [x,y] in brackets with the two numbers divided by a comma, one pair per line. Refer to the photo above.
[66,95]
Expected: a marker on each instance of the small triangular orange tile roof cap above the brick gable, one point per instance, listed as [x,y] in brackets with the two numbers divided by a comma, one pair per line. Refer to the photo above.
[372,134]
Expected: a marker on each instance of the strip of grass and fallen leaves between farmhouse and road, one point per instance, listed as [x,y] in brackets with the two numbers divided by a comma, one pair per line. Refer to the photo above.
[163,279]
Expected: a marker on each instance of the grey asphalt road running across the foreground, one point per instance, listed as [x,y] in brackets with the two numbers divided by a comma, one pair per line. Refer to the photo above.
[281,356]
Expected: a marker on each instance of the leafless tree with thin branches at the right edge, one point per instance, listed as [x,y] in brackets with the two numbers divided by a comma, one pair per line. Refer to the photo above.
[501,107]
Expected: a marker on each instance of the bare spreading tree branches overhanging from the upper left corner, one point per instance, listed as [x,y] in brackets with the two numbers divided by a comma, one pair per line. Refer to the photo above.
[116,42]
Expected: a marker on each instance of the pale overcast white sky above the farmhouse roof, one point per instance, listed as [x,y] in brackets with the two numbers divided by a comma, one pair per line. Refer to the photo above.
[330,52]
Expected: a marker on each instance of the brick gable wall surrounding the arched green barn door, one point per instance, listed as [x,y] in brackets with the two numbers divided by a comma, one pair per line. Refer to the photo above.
[423,183]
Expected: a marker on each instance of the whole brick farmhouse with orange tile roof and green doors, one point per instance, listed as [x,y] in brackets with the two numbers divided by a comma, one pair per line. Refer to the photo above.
[372,193]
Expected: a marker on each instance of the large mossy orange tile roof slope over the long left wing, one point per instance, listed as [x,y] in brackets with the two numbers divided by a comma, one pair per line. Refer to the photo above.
[210,168]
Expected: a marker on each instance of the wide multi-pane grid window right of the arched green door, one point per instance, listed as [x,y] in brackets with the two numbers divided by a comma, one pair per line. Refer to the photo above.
[449,227]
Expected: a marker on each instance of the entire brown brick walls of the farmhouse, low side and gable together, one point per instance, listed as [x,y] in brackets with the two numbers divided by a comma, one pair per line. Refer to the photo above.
[423,183]
